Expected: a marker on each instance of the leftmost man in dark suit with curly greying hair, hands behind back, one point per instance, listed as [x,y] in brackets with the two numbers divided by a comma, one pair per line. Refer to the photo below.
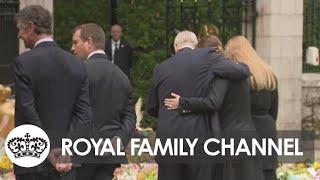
[52,90]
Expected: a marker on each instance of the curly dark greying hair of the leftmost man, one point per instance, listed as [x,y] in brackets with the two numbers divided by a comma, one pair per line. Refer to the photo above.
[40,16]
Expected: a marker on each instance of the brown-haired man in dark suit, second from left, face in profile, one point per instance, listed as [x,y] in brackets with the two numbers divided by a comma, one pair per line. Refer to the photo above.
[110,94]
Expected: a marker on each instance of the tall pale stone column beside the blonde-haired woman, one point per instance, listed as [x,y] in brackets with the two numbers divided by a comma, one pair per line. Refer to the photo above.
[279,42]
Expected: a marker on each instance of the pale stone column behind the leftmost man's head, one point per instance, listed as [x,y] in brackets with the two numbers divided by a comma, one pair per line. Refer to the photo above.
[48,4]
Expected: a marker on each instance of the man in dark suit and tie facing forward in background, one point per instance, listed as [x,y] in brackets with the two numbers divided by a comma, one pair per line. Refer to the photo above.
[119,50]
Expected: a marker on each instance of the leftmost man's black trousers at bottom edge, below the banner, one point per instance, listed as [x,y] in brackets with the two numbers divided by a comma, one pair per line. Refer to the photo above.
[54,175]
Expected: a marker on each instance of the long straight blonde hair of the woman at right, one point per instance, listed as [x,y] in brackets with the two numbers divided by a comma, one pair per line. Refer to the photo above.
[240,50]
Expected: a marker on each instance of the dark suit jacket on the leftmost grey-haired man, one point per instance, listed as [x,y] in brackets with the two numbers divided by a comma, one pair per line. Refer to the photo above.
[52,92]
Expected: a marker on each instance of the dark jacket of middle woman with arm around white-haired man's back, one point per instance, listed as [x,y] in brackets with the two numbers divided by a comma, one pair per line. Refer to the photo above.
[230,98]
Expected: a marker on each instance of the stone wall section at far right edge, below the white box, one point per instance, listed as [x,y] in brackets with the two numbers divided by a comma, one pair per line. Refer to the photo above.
[311,102]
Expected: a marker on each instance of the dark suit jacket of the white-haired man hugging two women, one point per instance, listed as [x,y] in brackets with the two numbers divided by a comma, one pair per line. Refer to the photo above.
[188,73]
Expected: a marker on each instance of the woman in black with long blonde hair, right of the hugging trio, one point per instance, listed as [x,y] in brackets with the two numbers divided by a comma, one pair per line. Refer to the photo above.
[264,94]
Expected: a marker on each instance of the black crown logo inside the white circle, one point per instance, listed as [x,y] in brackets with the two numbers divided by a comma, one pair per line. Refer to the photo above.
[27,146]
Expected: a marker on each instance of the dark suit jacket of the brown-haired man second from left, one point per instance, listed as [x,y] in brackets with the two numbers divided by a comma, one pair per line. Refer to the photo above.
[111,96]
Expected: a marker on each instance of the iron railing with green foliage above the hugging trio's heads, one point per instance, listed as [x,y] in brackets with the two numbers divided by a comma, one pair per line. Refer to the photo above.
[230,18]
